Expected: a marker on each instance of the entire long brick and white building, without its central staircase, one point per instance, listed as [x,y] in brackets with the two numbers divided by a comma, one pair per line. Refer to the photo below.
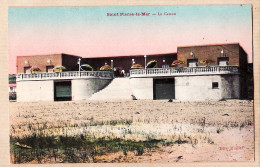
[207,72]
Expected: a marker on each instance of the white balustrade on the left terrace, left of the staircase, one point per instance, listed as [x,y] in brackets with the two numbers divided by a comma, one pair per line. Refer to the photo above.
[65,75]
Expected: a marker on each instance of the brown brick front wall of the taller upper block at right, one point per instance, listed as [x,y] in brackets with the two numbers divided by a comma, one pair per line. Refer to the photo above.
[210,51]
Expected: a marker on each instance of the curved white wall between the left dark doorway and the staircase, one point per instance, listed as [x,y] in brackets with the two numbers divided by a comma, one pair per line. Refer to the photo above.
[82,89]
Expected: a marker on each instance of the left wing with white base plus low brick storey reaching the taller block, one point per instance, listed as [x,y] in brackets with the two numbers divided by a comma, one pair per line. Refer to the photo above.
[71,84]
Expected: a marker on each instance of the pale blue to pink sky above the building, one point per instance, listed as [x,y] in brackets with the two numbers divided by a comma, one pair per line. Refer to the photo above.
[89,32]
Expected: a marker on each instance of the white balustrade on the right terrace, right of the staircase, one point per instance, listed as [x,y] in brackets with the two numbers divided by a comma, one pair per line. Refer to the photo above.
[179,71]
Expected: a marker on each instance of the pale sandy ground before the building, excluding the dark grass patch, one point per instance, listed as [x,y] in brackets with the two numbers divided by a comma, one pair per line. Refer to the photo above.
[216,130]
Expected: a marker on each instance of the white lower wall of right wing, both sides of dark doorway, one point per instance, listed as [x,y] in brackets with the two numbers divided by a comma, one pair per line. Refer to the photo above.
[187,88]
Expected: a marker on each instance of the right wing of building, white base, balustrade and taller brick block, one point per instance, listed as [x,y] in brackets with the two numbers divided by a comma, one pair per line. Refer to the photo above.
[224,76]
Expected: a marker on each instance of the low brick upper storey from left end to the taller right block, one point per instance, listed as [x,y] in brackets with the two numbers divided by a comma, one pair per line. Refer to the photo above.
[46,63]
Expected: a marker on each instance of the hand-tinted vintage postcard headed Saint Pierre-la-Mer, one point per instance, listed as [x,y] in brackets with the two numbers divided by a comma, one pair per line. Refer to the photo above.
[131,84]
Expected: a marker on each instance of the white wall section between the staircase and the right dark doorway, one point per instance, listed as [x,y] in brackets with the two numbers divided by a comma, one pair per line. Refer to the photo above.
[142,87]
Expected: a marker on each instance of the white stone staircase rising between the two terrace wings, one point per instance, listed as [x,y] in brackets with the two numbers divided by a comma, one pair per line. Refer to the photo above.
[118,89]
